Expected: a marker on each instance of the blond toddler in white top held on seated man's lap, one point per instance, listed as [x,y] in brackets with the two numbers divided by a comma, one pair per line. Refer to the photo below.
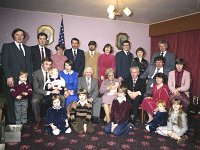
[55,81]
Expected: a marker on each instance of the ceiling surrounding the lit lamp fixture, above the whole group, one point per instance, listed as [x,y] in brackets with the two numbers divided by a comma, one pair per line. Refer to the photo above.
[144,11]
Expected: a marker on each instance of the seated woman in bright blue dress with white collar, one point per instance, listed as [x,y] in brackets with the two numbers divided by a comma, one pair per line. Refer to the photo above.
[71,80]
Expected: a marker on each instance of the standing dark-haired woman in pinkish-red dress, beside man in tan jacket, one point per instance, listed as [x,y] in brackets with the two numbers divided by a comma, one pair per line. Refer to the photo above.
[105,61]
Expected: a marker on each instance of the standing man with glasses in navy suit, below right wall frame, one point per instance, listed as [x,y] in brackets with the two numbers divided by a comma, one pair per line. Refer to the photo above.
[123,61]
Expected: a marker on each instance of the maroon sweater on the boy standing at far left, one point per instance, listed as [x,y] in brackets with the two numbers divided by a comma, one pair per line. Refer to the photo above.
[17,89]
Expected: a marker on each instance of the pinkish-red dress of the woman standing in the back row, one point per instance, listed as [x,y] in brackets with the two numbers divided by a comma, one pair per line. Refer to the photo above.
[104,62]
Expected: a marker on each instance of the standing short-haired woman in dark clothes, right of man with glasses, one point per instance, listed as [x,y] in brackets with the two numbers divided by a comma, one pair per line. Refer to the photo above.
[139,61]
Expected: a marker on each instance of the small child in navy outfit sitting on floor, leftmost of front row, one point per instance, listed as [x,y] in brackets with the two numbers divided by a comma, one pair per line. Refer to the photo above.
[57,118]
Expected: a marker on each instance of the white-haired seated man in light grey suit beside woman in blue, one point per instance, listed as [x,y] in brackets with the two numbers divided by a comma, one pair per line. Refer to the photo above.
[91,85]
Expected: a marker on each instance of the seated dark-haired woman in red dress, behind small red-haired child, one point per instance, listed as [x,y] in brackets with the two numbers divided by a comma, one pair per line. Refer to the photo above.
[160,91]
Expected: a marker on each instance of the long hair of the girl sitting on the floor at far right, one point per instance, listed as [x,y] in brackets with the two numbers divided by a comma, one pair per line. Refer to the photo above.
[177,101]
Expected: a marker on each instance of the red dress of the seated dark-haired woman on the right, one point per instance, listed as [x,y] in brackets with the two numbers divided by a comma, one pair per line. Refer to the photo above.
[158,94]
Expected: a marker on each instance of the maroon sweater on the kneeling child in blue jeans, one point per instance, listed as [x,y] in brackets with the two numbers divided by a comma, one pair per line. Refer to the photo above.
[120,111]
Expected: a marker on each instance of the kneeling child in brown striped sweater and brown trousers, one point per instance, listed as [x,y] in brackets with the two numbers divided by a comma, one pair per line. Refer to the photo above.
[81,114]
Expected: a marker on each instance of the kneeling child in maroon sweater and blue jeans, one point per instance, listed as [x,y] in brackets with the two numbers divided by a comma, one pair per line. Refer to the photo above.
[119,116]
